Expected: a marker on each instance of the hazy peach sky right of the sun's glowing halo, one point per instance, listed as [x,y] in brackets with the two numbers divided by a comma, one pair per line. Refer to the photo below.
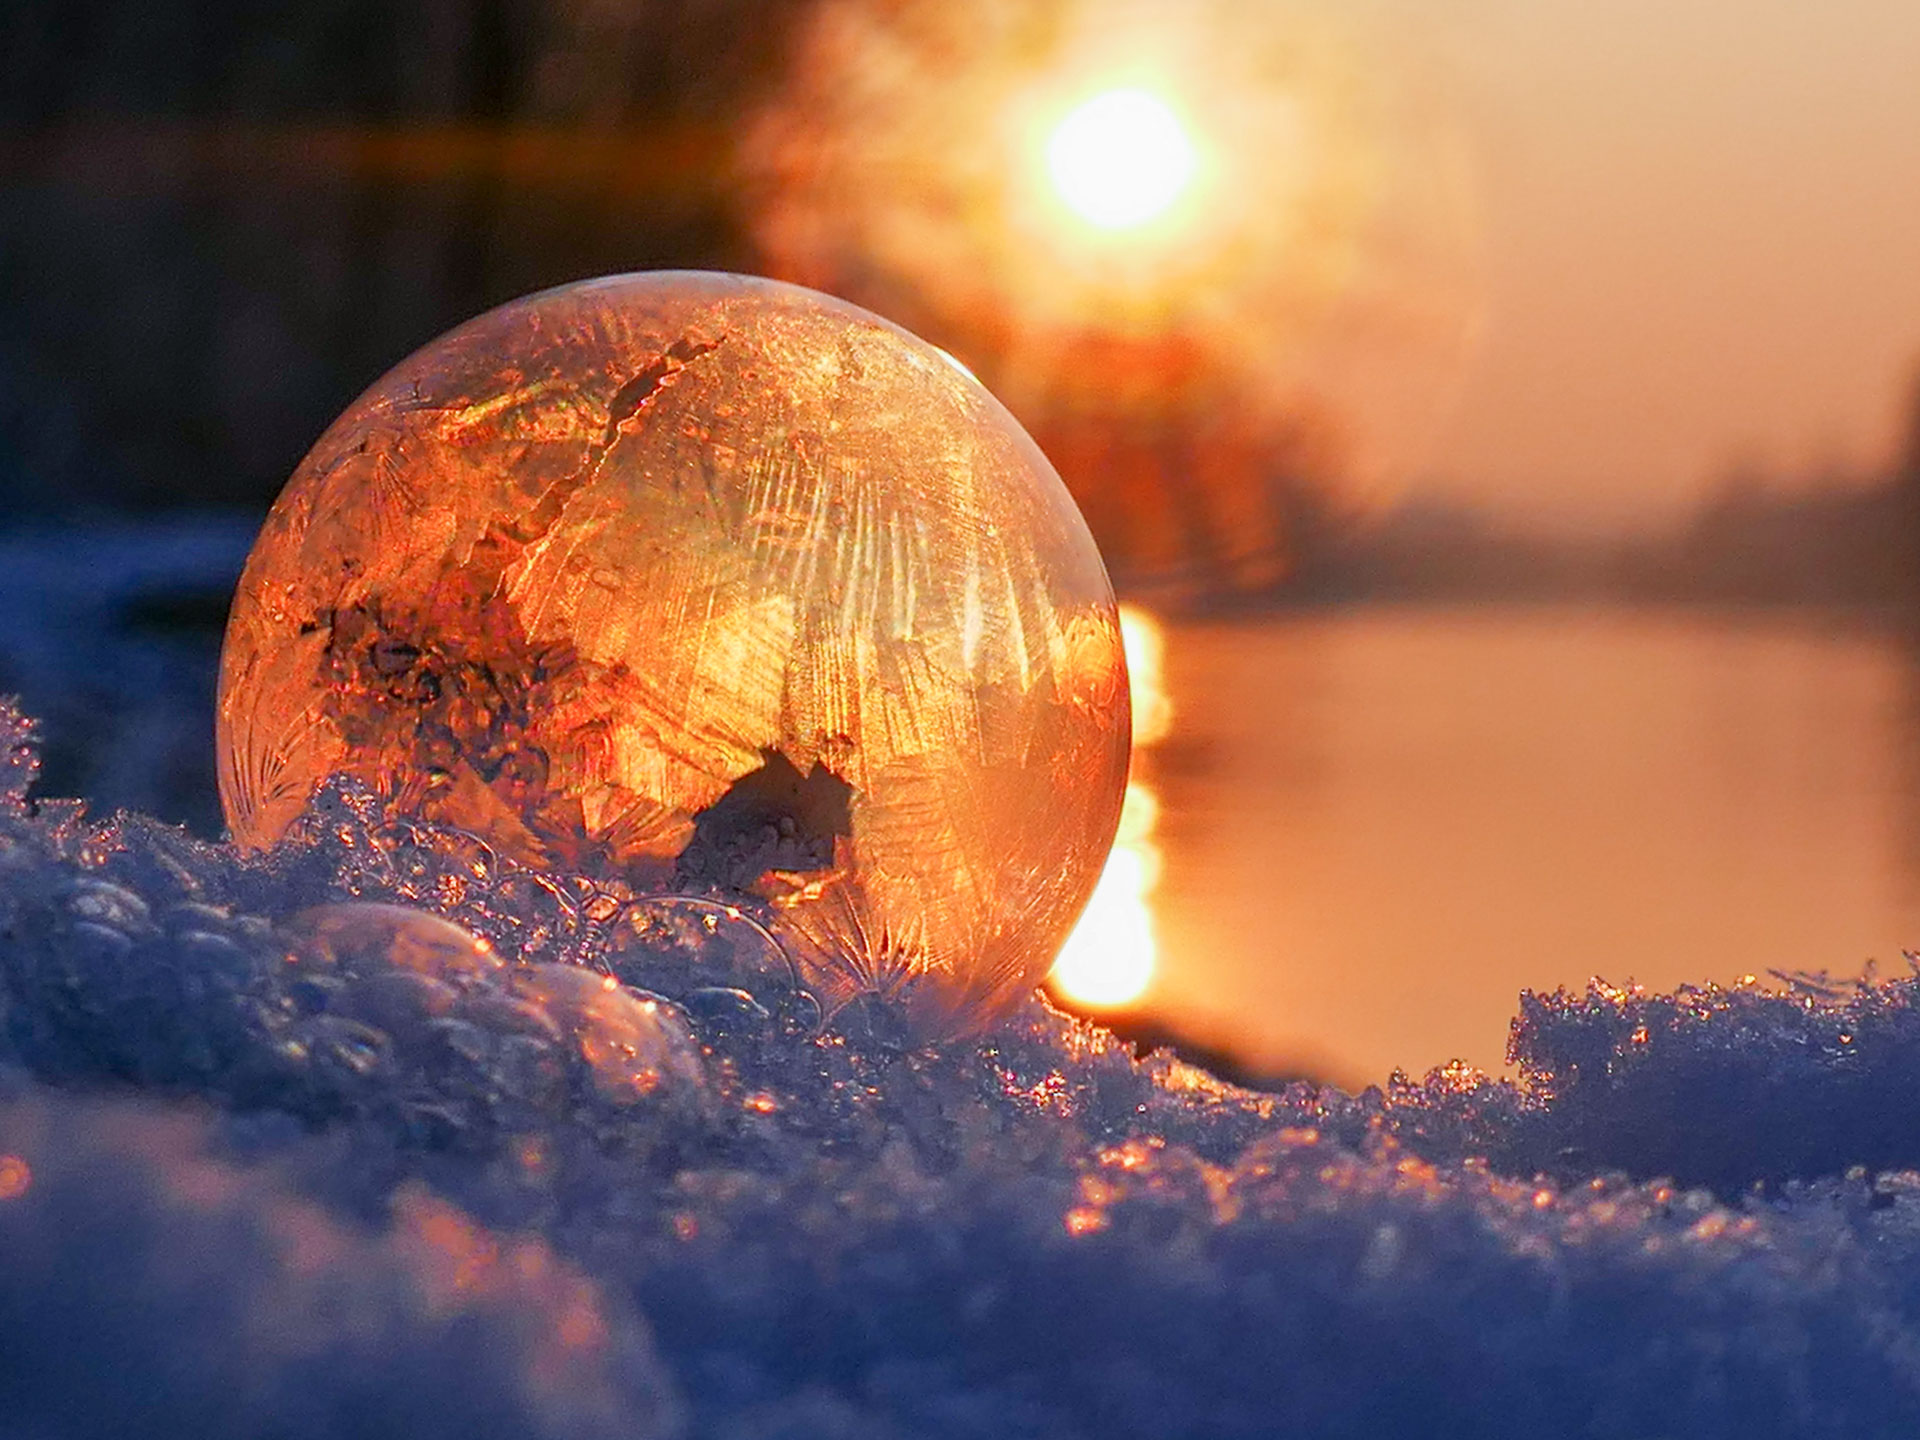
[1700,247]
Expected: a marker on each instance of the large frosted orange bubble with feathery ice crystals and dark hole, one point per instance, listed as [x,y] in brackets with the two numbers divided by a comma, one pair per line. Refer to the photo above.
[719,585]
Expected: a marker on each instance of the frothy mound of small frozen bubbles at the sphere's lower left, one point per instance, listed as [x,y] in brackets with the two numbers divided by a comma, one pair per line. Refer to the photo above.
[337,1009]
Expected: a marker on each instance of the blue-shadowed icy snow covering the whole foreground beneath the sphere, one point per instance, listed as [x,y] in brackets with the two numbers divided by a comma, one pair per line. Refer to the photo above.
[285,1161]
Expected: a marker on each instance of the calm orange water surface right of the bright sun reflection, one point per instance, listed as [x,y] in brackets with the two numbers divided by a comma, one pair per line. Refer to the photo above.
[1378,827]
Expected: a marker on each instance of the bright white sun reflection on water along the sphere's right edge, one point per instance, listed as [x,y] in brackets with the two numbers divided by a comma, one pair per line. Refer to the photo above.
[1109,959]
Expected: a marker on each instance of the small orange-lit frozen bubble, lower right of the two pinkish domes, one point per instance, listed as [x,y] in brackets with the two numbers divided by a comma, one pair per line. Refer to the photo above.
[636,1045]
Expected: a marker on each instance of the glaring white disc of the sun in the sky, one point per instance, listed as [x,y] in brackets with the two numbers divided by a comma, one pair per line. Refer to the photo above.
[1120,158]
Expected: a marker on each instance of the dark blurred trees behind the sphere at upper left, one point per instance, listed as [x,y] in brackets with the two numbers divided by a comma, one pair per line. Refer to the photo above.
[224,218]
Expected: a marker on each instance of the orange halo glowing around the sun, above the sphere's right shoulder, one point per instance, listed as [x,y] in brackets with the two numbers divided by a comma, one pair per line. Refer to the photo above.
[1172,239]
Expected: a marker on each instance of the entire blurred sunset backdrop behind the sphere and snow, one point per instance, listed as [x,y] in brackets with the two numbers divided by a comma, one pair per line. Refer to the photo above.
[1500,420]
